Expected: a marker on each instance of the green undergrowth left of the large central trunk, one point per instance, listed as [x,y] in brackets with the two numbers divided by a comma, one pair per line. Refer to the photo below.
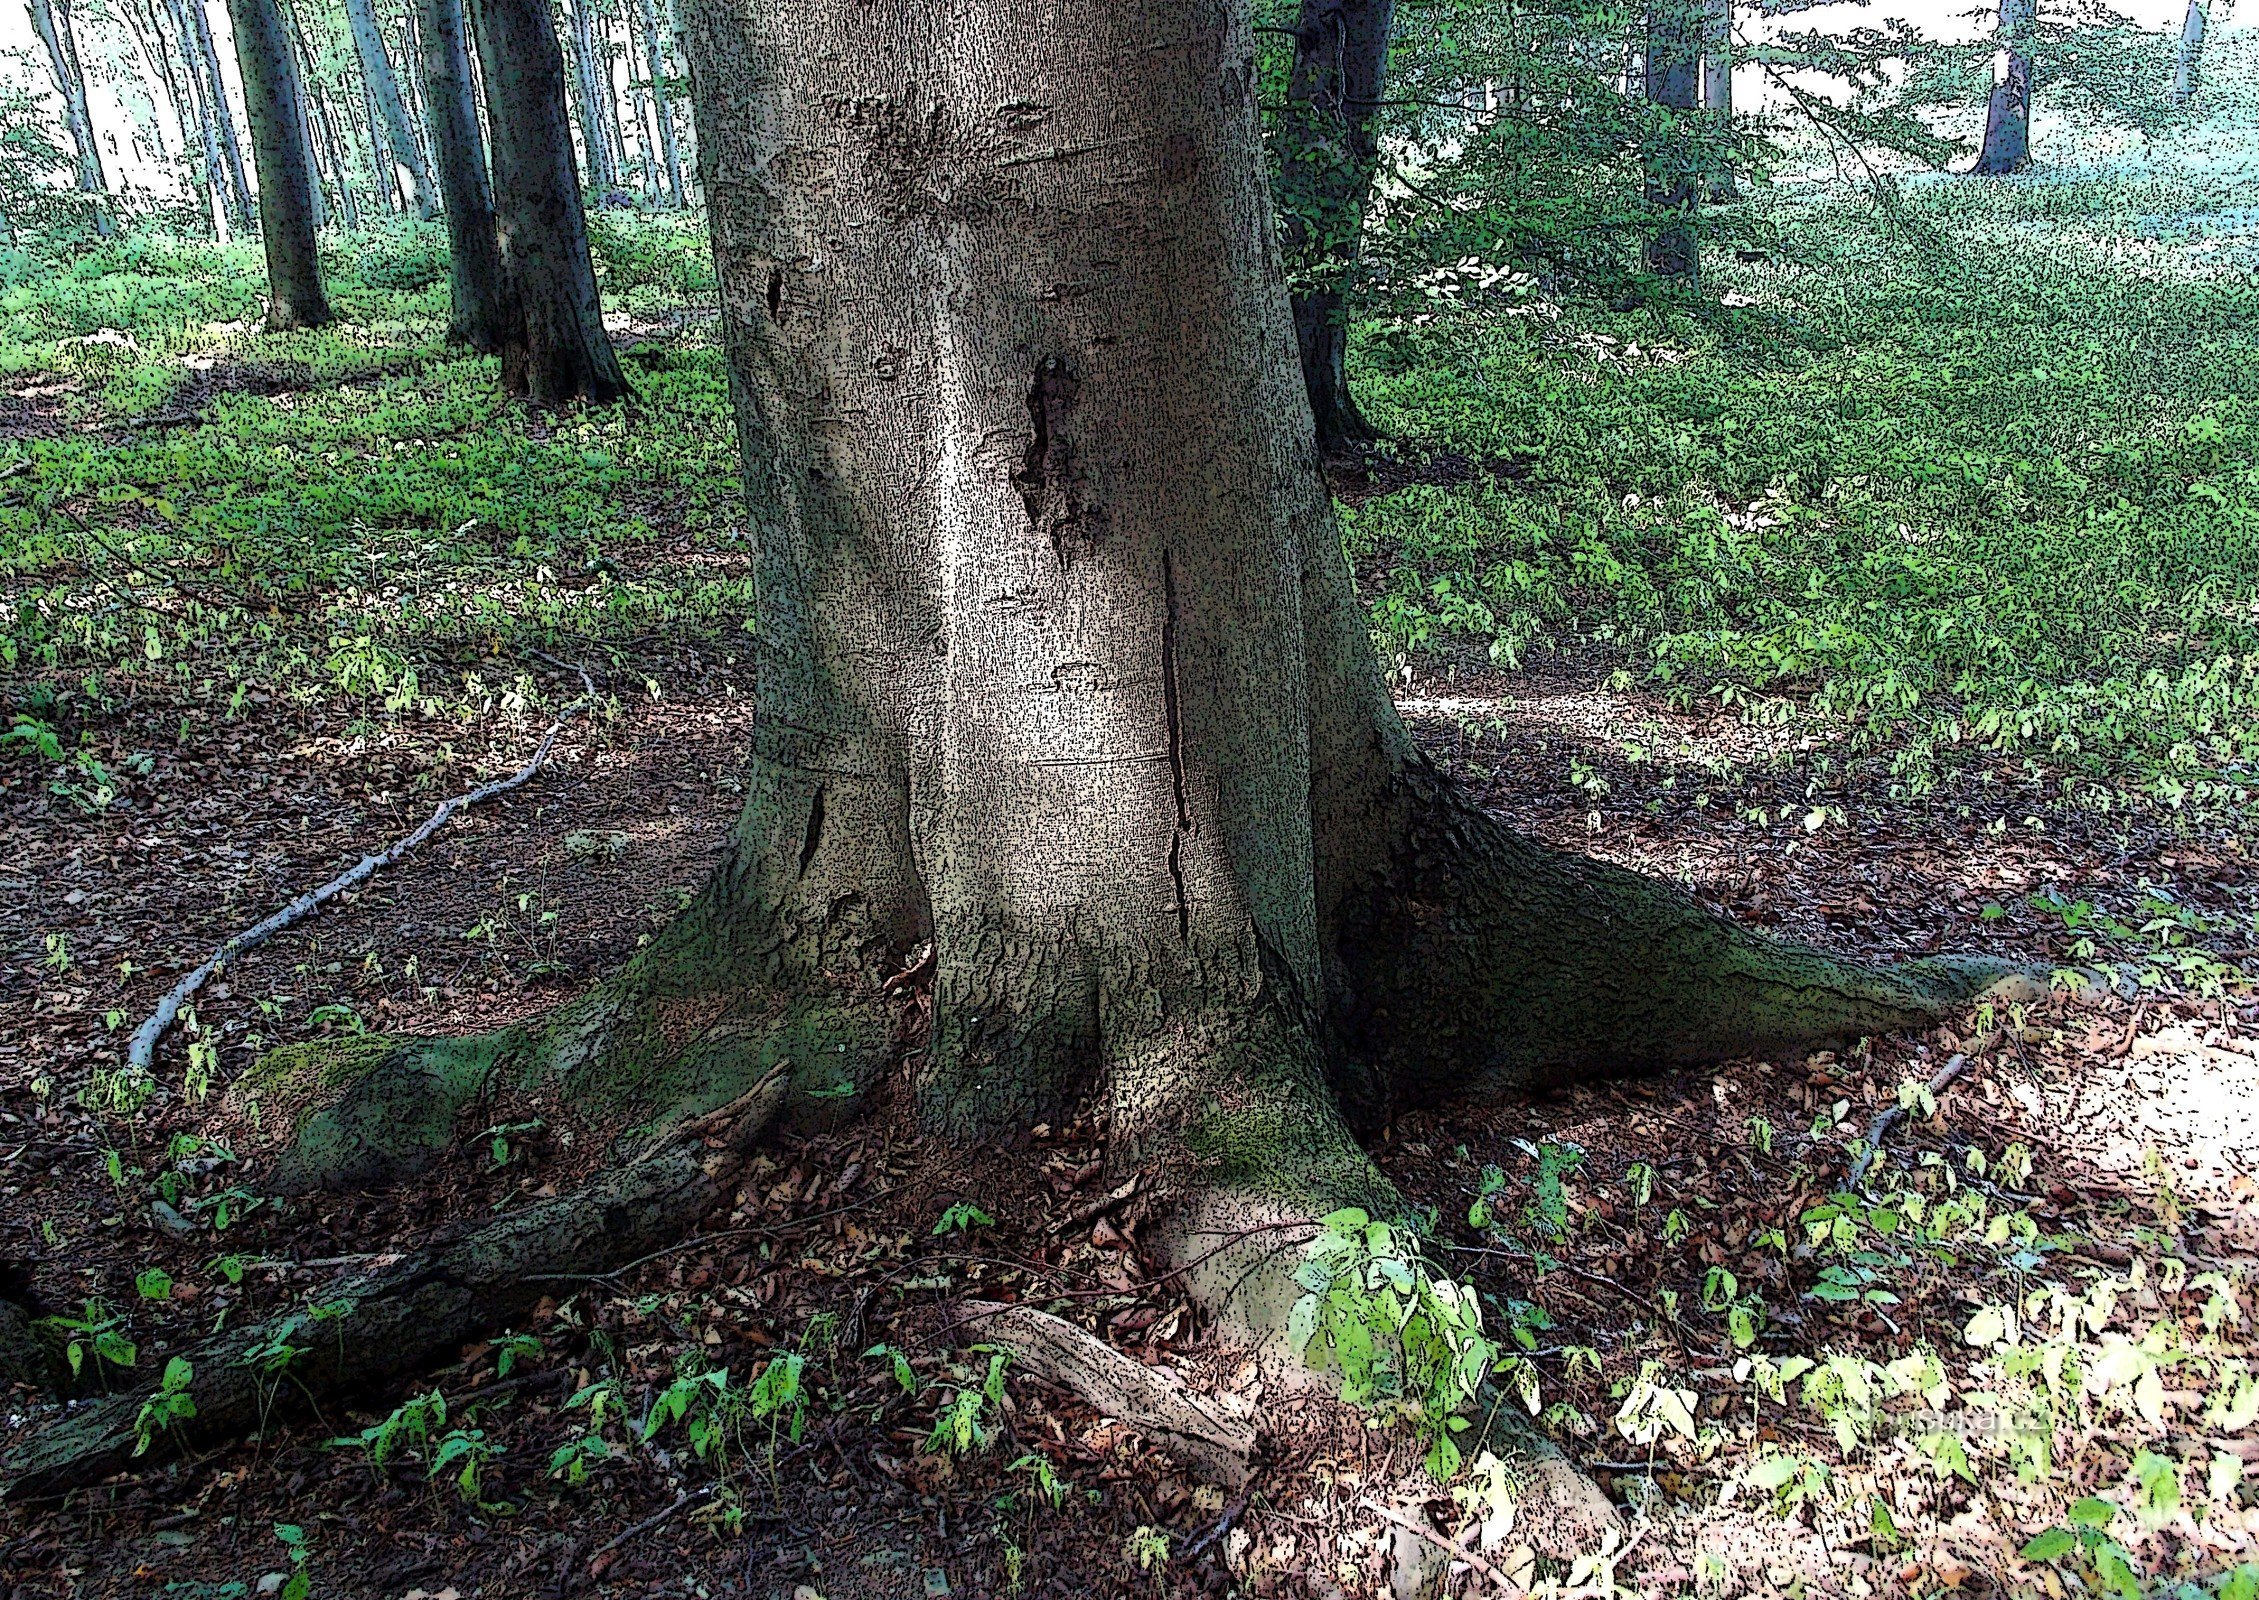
[358,514]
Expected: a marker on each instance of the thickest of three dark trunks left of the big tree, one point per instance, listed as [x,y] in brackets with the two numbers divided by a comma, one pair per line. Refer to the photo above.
[557,347]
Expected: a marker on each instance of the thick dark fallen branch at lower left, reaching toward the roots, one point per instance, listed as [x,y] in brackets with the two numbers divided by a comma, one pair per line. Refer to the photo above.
[392,1321]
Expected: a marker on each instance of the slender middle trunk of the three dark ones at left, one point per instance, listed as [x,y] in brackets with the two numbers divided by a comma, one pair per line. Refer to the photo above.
[478,293]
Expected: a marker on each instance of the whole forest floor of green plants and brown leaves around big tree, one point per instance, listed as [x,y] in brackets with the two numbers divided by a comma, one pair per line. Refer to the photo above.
[277,598]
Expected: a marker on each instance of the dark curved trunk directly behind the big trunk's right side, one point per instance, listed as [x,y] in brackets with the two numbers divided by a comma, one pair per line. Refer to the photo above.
[1329,148]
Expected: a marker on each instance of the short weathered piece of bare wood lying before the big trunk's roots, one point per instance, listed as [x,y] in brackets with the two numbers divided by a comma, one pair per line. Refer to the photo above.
[1180,1423]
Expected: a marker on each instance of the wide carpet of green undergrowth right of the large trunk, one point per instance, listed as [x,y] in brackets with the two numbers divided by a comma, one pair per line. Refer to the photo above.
[1964,469]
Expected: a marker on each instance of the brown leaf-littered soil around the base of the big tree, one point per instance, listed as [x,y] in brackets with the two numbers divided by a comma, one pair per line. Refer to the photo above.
[2140,1113]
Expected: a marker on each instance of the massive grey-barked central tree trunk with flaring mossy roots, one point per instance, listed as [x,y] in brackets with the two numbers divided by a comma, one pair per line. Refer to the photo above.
[1070,740]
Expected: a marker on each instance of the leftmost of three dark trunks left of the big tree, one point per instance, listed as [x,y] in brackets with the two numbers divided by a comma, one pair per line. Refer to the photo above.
[274,103]
